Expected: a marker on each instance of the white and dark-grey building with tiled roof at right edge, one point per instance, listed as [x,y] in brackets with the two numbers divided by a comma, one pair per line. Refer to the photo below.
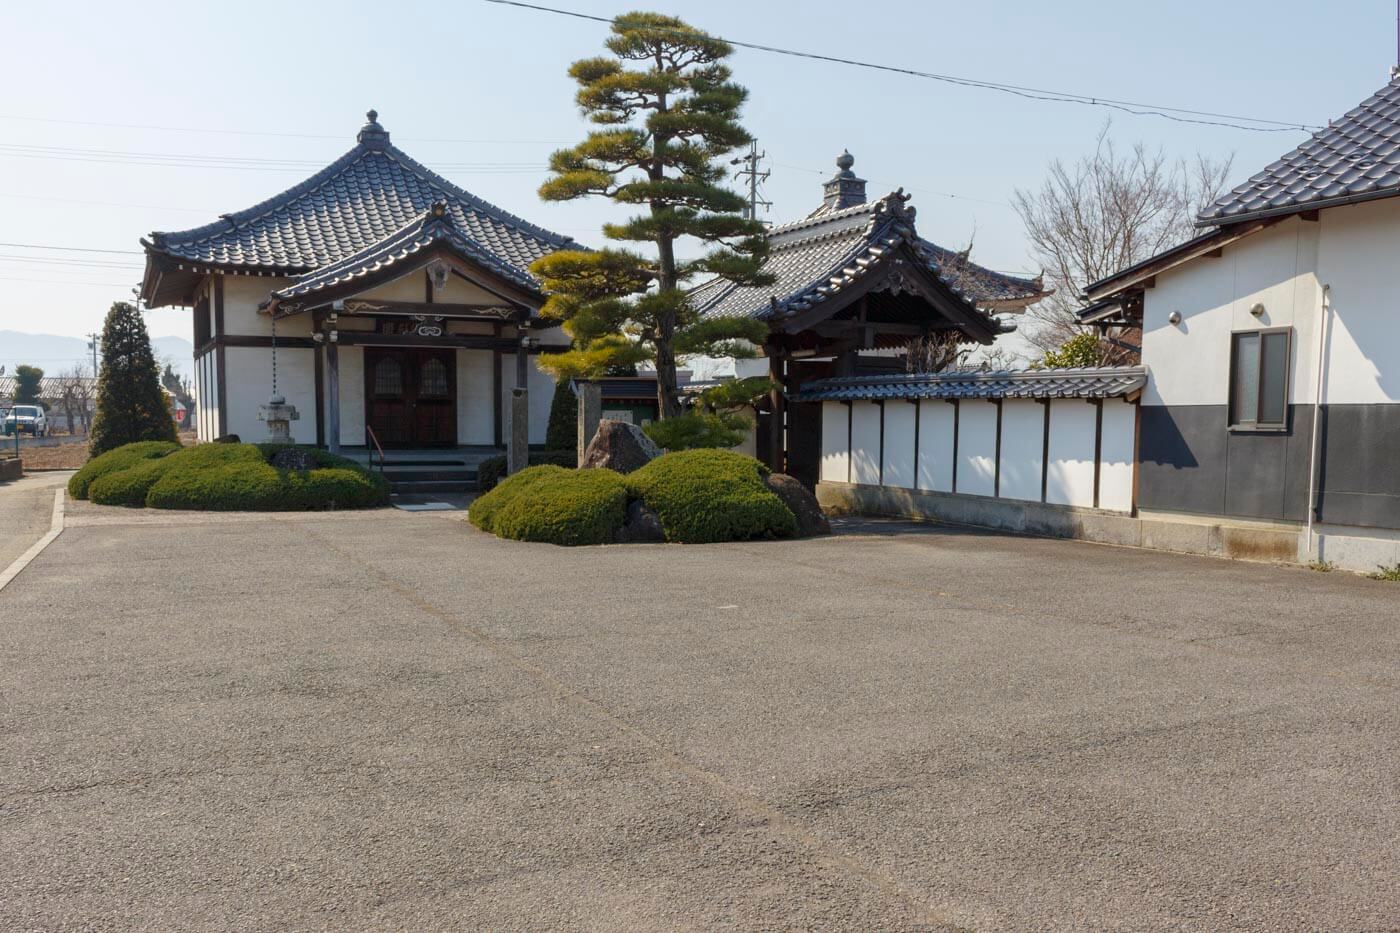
[1272,411]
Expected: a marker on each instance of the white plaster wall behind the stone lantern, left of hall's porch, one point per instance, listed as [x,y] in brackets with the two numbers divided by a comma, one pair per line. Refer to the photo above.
[250,385]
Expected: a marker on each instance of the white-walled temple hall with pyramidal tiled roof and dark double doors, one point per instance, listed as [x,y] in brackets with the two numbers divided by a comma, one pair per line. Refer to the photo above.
[388,305]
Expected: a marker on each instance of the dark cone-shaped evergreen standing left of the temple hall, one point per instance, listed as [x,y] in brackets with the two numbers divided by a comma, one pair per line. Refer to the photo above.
[131,406]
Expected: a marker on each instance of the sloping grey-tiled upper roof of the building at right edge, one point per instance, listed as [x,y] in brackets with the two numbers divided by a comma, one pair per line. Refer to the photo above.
[1354,159]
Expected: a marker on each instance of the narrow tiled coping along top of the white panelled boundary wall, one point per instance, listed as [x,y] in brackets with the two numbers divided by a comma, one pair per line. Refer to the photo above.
[1088,383]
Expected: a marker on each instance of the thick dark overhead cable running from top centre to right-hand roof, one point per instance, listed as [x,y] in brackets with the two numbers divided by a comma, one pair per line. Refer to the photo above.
[1177,114]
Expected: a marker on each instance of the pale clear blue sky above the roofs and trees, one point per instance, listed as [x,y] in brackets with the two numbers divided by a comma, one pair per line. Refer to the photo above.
[470,71]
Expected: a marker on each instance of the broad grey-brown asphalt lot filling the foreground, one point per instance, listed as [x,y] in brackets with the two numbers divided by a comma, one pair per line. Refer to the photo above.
[394,722]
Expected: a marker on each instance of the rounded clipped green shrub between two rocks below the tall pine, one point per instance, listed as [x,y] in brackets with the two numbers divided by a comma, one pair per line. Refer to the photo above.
[712,495]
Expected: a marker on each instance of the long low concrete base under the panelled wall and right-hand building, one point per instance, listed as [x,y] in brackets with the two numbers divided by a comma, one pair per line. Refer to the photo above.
[1280,543]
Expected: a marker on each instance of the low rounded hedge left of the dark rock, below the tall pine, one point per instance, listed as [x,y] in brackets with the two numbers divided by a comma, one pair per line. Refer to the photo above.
[556,506]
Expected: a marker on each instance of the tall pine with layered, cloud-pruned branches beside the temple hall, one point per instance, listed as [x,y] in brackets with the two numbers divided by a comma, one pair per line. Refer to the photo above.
[664,125]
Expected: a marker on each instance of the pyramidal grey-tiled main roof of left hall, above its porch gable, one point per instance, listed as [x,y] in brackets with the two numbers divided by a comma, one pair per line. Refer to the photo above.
[353,205]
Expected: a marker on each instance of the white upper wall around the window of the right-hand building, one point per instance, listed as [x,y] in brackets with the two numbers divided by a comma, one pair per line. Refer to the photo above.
[1189,364]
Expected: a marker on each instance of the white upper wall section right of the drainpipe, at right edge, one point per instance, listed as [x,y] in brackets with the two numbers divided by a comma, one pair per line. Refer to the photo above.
[1359,258]
